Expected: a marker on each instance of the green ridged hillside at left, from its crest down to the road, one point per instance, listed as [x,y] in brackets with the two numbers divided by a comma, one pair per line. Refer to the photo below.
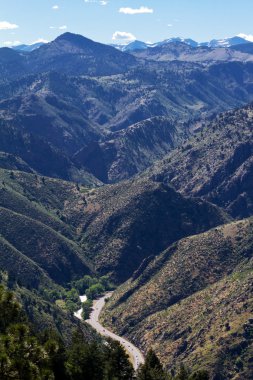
[39,250]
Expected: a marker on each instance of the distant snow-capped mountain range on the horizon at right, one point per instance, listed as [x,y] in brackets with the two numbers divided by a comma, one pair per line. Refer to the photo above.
[225,42]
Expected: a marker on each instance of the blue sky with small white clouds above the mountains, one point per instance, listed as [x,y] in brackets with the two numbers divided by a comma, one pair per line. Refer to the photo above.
[121,21]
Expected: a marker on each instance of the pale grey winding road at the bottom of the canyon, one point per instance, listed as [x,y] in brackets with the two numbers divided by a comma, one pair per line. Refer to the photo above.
[134,353]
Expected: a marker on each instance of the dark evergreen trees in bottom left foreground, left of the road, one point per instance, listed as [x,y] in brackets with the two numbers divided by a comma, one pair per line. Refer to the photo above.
[25,355]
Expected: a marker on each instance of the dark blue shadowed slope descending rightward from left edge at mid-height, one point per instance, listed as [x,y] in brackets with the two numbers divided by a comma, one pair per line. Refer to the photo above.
[38,155]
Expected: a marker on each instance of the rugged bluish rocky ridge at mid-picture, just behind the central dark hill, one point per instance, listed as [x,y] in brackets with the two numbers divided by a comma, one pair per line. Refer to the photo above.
[131,150]
